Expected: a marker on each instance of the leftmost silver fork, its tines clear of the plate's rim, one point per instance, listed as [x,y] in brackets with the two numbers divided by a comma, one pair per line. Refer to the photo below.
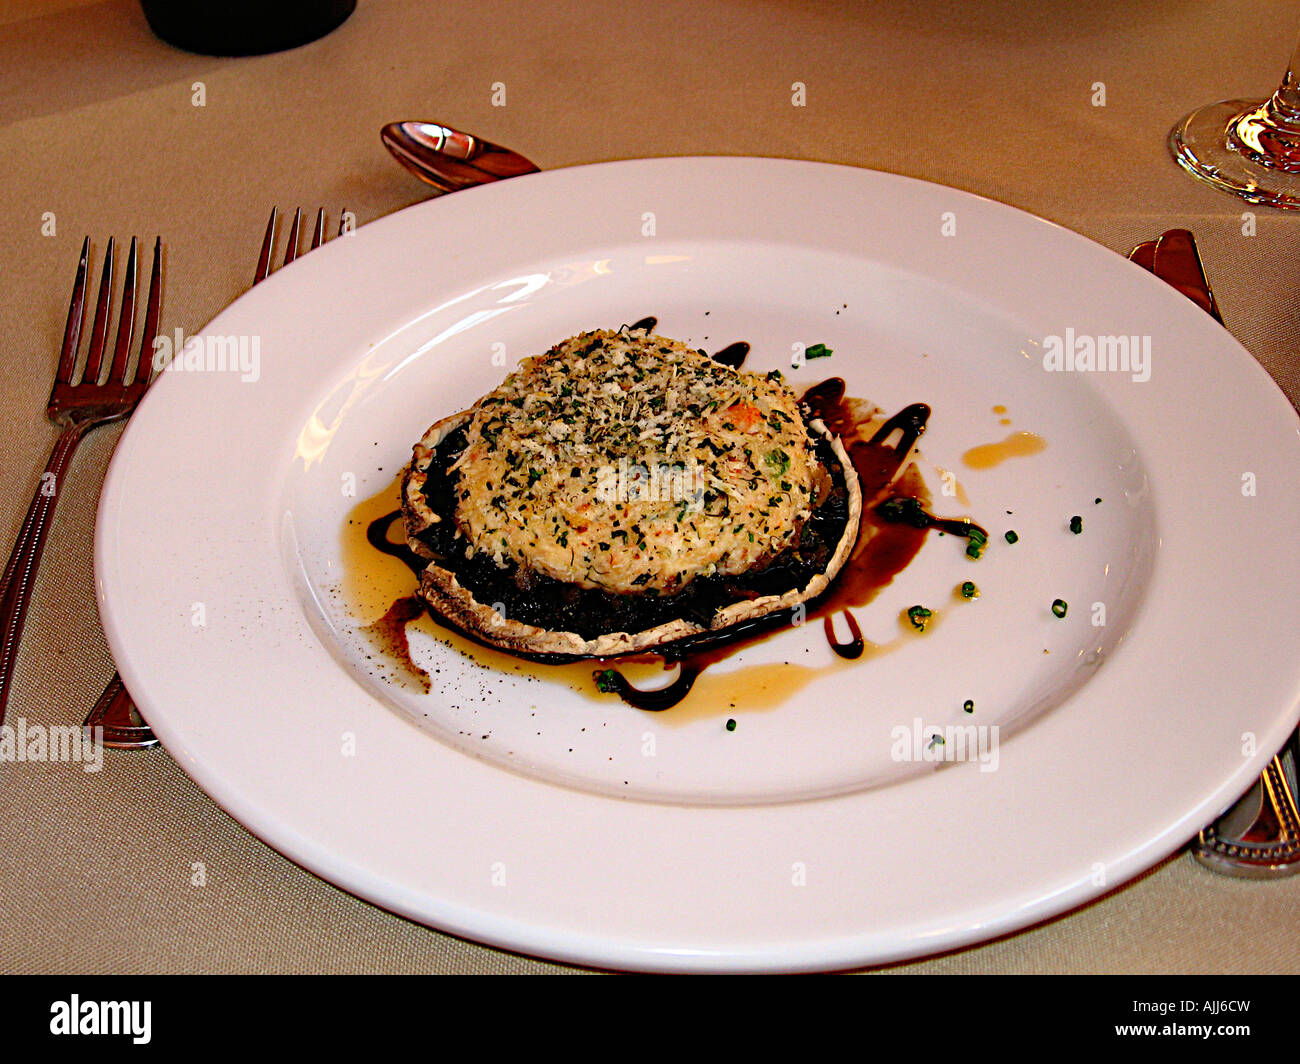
[77,405]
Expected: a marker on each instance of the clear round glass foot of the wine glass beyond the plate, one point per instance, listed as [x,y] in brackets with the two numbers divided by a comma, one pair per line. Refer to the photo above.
[1203,146]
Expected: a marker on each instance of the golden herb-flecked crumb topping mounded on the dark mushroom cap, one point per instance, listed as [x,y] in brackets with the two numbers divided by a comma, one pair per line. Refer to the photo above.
[635,464]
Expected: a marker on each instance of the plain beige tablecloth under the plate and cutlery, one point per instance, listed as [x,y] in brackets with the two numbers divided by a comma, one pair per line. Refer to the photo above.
[101,135]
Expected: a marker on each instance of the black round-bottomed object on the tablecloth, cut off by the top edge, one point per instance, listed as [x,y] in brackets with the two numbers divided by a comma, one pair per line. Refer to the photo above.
[244,28]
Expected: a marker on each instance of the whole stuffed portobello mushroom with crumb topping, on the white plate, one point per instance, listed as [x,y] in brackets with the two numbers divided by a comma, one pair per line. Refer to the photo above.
[514,592]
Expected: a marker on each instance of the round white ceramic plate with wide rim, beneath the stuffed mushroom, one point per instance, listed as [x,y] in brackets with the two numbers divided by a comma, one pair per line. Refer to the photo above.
[530,815]
